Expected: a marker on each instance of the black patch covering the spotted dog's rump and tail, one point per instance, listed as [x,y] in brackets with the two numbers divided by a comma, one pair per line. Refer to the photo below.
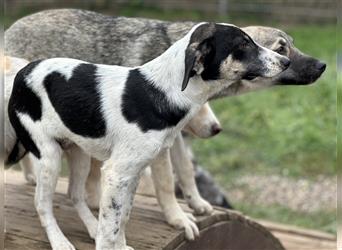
[24,100]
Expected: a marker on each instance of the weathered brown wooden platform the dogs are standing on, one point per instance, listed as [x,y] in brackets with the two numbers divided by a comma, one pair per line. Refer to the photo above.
[147,228]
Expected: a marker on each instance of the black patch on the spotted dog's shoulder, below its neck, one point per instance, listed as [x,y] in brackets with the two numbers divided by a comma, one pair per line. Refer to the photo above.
[146,105]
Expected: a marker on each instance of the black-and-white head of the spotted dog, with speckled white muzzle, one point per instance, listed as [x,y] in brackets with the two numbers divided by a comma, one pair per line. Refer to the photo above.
[225,52]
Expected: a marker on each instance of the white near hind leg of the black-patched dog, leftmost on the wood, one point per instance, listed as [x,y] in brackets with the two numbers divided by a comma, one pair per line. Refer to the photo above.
[48,167]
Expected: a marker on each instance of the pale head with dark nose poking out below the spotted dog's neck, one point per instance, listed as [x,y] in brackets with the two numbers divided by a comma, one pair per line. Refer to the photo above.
[204,124]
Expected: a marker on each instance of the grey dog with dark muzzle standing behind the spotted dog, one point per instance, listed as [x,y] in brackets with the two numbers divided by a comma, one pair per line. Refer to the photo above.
[134,41]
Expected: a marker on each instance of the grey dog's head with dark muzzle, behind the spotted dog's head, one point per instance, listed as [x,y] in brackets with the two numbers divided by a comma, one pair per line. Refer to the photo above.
[303,69]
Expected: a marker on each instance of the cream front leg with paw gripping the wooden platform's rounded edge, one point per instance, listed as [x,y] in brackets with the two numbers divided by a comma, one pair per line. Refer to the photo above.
[164,184]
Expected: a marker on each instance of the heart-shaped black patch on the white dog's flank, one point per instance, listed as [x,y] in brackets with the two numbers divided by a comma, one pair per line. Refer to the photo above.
[77,100]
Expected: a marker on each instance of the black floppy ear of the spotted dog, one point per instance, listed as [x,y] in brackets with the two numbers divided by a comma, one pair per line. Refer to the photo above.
[201,45]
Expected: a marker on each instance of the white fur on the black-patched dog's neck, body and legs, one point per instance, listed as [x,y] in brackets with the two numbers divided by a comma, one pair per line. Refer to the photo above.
[125,149]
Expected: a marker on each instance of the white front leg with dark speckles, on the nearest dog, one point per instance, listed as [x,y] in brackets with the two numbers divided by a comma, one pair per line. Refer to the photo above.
[118,185]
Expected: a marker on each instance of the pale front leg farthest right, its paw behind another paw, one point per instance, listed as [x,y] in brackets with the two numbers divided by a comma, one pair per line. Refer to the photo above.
[186,176]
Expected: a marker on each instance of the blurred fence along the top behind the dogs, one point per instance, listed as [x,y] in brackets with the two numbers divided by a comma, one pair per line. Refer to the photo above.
[286,10]
